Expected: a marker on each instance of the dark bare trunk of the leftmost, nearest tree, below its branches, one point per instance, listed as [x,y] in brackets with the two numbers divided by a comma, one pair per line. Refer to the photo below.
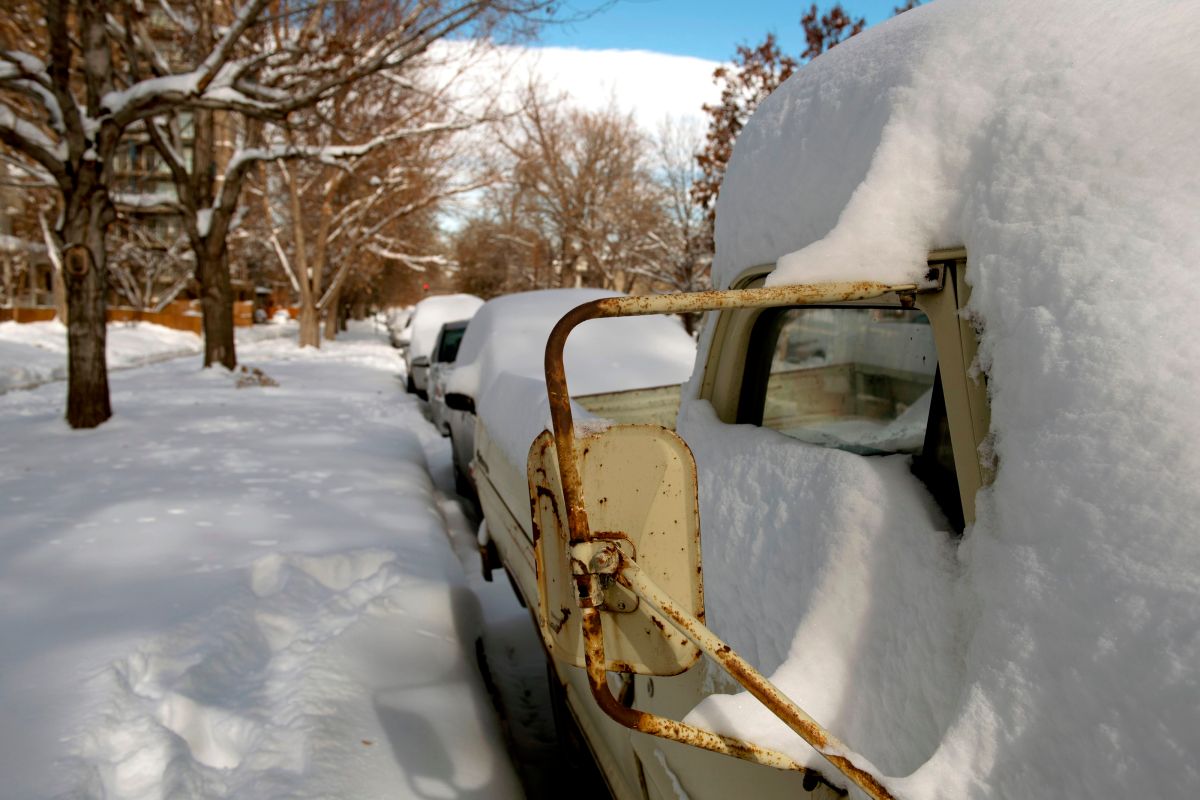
[87,286]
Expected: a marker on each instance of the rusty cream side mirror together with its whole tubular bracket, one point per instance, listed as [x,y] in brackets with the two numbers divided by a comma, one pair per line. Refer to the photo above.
[616,532]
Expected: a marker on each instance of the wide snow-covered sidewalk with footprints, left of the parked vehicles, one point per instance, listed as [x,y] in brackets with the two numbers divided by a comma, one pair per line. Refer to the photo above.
[238,592]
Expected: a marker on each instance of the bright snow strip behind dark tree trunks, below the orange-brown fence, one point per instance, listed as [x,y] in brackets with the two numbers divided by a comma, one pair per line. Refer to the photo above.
[35,353]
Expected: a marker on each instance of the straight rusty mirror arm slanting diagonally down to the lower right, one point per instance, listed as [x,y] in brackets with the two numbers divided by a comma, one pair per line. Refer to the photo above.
[632,576]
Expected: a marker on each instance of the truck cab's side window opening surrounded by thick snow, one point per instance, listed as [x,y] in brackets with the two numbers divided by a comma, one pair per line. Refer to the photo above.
[856,378]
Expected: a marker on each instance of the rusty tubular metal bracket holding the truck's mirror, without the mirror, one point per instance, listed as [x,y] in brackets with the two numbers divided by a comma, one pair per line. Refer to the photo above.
[590,581]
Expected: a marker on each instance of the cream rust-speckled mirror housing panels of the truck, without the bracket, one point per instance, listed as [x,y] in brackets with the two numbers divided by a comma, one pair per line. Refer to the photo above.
[640,489]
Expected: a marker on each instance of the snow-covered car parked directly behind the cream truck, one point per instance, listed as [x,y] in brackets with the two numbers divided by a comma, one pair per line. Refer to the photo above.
[496,396]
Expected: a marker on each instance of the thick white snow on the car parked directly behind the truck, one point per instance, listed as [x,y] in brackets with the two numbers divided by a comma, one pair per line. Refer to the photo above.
[502,360]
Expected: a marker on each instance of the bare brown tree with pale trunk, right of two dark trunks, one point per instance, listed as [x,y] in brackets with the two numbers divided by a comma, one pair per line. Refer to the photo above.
[346,208]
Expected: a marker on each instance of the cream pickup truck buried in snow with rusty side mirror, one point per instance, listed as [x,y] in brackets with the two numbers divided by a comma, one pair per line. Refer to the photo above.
[941,437]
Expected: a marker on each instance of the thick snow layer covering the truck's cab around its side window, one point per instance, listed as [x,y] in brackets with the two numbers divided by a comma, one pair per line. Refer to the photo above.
[1055,652]
